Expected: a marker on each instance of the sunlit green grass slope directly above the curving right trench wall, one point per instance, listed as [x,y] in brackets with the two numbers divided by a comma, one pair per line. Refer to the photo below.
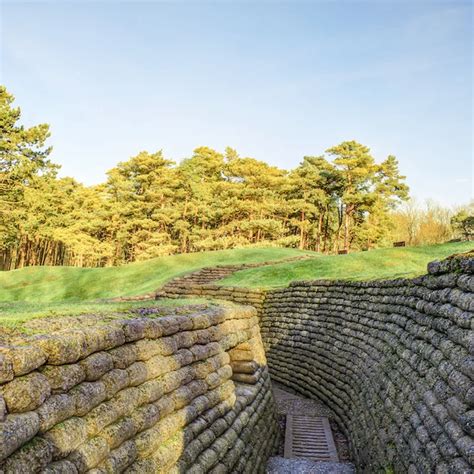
[376,264]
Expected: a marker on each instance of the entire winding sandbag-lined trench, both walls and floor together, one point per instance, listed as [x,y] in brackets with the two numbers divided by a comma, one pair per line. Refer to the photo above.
[389,363]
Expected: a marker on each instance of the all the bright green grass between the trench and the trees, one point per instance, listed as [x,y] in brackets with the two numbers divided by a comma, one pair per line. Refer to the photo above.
[45,292]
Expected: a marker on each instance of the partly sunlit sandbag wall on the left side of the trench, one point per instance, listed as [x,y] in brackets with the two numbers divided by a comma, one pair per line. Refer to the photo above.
[172,394]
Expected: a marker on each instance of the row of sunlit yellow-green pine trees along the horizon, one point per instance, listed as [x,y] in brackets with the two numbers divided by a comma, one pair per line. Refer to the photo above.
[150,206]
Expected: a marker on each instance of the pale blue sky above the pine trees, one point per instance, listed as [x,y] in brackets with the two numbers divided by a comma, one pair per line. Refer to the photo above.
[274,80]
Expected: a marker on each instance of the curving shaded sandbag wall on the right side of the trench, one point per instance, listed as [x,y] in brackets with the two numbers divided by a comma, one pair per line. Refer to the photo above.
[393,359]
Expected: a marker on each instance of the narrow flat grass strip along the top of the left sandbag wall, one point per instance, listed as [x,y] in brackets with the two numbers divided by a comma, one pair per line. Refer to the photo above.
[14,315]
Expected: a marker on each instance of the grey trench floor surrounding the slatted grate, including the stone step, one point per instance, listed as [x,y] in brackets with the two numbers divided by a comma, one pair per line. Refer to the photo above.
[291,403]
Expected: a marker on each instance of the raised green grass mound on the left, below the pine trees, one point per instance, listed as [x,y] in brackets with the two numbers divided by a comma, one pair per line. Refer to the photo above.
[51,284]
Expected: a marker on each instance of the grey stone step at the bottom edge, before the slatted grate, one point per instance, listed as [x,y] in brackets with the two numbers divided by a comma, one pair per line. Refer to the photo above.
[280,465]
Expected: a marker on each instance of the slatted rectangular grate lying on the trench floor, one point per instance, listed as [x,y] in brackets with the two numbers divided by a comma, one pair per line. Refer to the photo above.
[310,438]
